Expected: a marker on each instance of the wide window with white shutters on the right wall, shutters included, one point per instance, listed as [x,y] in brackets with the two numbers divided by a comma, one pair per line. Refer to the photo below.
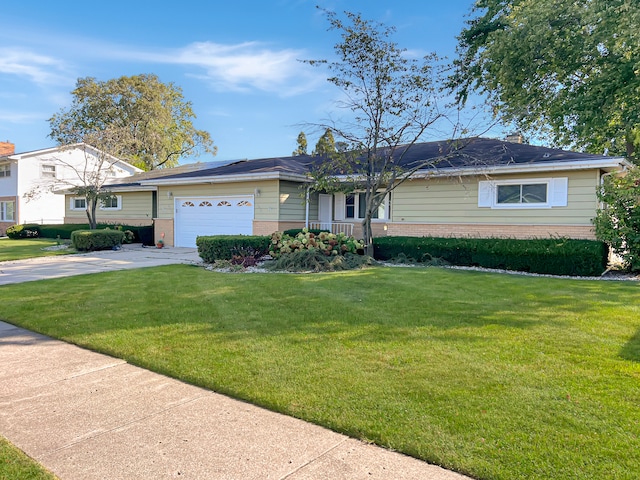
[532,193]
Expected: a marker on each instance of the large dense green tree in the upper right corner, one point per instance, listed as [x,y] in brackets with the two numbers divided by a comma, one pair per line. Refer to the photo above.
[564,69]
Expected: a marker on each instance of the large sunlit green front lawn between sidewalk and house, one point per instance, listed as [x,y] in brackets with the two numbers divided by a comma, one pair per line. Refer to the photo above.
[496,376]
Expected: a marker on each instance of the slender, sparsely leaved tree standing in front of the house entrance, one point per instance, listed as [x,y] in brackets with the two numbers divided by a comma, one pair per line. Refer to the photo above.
[391,98]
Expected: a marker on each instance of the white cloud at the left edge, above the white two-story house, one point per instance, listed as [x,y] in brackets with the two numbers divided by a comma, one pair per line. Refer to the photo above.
[40,69]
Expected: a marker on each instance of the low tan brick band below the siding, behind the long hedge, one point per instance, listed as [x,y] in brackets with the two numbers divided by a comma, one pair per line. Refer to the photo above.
[585,232]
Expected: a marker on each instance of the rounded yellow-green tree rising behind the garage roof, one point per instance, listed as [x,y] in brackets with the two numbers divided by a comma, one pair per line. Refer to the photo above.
[152,119]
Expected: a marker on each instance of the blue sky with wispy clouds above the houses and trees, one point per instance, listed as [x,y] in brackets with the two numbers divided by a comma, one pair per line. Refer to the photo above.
[237,62]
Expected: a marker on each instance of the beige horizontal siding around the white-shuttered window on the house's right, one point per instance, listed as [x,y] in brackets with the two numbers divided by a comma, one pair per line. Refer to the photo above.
[456,201]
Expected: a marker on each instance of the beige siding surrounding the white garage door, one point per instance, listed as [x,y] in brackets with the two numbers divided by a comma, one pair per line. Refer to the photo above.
[266,196]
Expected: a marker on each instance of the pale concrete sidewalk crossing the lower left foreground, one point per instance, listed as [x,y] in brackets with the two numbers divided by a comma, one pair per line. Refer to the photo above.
[86,416]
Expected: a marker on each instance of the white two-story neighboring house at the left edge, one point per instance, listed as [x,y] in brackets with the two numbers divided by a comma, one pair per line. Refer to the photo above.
[28,180]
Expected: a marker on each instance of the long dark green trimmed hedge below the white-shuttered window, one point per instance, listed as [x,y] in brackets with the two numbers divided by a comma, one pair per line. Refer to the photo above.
[554,256]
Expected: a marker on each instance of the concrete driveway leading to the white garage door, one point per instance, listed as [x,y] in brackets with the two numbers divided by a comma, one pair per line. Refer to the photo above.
[130,256]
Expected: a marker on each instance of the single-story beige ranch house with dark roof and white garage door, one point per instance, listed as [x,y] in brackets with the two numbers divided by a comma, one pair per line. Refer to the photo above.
[489,188]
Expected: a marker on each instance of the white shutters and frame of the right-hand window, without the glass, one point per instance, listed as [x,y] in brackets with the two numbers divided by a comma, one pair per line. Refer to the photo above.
[557,191]
